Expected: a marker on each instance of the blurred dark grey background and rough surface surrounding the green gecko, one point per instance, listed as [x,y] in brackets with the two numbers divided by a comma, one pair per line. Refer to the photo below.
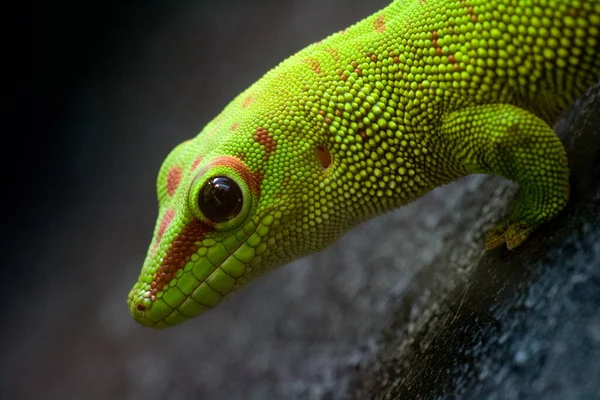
[405,306]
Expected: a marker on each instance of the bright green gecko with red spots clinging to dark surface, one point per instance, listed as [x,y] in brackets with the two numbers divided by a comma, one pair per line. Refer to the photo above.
[371,118]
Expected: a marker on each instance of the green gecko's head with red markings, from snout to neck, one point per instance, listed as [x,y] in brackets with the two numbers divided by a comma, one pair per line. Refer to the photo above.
[229,212]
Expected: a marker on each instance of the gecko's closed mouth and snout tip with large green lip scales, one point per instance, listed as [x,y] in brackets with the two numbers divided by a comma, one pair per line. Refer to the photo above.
[206,275]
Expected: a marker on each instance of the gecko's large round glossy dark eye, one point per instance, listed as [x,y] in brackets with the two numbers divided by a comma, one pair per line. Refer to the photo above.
[220,199]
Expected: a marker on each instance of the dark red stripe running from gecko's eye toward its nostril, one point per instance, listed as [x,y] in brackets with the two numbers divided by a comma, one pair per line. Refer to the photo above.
[179,253]
